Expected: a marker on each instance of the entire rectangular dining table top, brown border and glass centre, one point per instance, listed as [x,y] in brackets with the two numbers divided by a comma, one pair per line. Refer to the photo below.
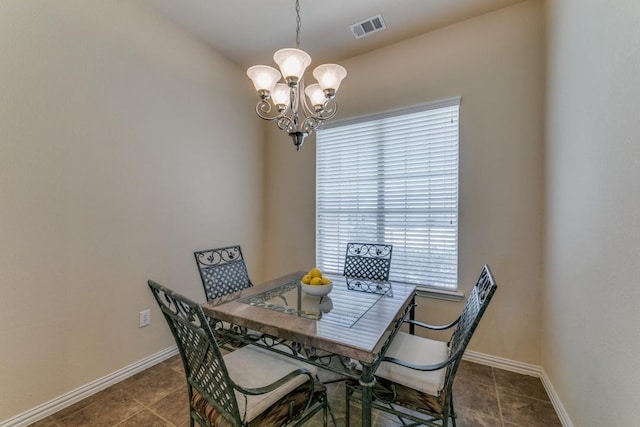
[352,320]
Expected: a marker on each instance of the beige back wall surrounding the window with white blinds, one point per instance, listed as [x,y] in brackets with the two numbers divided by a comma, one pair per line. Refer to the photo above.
[495,63]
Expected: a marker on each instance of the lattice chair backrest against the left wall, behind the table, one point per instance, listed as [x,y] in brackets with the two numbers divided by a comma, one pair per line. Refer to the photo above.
[222,271]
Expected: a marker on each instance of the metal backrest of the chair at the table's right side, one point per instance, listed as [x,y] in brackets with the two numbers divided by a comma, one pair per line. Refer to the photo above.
[472,312]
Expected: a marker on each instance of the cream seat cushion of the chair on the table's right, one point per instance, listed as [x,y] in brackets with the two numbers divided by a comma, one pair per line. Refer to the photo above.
[420,351]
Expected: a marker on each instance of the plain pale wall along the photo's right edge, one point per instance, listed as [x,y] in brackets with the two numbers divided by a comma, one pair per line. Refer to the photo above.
[591,346]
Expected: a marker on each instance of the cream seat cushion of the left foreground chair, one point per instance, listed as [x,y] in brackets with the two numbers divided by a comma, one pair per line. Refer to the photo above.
[252,367]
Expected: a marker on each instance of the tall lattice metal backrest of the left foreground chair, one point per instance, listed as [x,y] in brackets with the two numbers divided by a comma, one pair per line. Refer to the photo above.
[203,362]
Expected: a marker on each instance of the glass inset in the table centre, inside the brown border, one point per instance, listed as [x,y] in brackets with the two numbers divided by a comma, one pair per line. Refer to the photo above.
[347,302]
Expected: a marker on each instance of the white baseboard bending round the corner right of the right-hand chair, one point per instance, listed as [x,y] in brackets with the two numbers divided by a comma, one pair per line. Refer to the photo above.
[525,369]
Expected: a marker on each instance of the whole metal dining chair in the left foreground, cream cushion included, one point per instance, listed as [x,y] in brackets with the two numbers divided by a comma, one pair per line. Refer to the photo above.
[246,387]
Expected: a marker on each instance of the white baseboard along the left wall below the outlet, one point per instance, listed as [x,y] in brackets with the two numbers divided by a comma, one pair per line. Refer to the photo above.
[68,399]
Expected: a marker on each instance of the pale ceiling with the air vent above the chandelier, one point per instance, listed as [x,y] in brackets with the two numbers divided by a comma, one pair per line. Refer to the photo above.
[248,32]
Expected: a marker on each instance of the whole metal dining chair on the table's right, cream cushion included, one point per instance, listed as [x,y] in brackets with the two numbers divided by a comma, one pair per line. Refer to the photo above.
[414,380]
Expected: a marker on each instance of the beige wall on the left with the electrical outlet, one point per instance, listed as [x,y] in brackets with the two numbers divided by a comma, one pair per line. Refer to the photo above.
[126,145]
